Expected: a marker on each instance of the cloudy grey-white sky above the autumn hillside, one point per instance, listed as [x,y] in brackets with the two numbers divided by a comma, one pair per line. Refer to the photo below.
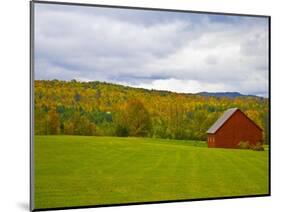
[182,52]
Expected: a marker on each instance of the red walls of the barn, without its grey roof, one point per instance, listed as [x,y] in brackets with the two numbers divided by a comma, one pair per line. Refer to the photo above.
[237,128]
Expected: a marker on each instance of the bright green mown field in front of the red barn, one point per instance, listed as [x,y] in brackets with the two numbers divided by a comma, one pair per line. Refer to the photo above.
[81,170]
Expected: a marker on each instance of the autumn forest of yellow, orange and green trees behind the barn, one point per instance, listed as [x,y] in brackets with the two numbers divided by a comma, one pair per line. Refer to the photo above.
[99,108]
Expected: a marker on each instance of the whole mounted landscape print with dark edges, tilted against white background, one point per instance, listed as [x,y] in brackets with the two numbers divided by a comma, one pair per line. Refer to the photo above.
[138,105]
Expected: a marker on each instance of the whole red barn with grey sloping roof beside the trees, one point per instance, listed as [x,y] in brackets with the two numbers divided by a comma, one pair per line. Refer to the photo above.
[231,128]
